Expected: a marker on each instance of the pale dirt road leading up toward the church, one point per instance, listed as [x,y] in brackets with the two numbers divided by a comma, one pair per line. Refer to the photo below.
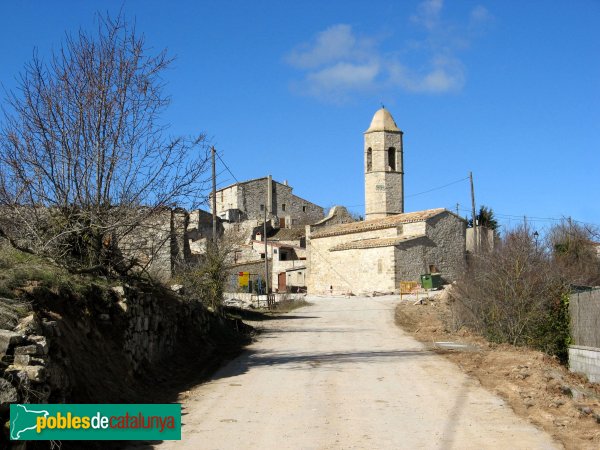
[338,375]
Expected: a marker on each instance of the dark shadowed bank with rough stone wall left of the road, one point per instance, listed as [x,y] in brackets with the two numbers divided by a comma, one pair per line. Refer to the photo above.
[60,354]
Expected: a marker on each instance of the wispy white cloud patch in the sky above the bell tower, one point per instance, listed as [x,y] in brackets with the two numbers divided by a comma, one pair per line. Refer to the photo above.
[338,63]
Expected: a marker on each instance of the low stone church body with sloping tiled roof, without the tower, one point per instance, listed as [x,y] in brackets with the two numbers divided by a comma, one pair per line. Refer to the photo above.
[376,255]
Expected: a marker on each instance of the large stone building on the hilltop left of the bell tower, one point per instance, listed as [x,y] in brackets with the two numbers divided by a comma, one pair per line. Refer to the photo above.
[247,201]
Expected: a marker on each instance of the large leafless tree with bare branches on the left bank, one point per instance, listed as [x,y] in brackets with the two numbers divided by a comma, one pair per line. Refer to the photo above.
[84,156]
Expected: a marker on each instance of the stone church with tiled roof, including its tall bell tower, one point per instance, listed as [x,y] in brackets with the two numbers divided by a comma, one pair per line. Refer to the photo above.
[389,246]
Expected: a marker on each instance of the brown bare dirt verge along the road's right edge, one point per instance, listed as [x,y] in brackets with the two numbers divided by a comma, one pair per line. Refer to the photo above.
[535,385]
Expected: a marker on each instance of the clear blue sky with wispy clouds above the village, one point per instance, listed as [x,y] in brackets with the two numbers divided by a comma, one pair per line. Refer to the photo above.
[509,90]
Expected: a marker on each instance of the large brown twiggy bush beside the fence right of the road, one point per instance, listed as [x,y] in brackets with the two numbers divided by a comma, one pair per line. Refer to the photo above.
[515,294]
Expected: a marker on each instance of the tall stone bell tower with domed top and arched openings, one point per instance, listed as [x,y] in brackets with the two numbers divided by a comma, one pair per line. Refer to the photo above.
[384,172]
